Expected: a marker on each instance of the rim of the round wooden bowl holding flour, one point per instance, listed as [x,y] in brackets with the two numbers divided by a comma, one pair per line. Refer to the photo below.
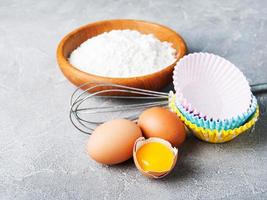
[60,57]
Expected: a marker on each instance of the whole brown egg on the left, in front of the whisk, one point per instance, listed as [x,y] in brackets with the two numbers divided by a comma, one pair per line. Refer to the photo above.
[113,141]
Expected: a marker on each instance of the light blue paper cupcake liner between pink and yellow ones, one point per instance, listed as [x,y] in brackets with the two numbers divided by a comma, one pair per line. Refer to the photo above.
[218,124]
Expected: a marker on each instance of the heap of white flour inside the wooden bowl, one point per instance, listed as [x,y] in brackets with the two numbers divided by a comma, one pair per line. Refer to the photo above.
[122,53]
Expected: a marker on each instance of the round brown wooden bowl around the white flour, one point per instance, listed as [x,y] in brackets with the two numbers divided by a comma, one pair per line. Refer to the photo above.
[153,81]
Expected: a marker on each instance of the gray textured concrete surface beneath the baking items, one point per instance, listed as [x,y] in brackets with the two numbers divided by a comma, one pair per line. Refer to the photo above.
[42,156]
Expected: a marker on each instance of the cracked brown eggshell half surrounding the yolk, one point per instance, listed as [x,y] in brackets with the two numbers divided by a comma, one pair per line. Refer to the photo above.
[151,174]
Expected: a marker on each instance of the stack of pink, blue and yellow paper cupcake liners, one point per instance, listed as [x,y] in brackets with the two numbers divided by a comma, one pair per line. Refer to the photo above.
[213,97]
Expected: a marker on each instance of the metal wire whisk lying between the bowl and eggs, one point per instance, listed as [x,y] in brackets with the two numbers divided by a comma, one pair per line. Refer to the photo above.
[94,105]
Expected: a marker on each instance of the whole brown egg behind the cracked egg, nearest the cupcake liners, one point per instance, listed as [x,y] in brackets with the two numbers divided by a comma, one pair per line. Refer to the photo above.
[162,123]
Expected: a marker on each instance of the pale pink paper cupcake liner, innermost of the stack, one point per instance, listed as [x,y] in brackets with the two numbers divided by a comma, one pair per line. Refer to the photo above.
[210,86]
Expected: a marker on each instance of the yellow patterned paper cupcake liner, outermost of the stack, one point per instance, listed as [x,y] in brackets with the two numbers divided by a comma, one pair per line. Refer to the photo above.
[214,136]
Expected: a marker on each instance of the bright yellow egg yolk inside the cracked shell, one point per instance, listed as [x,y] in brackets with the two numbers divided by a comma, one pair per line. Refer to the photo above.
[155,157]
